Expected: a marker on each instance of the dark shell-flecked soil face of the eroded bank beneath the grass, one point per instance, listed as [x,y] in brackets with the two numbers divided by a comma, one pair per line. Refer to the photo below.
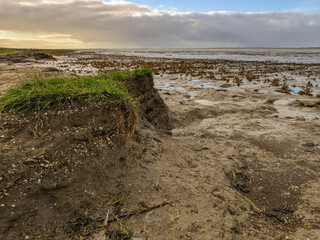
[55,167]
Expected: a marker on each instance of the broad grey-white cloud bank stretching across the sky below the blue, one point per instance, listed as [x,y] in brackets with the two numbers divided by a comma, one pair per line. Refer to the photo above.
[94,23]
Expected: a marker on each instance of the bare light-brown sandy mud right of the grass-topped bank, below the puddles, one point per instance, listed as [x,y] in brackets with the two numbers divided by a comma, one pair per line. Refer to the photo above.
[278,155]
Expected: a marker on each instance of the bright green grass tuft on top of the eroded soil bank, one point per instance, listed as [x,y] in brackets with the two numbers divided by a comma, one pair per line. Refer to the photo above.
[40,94]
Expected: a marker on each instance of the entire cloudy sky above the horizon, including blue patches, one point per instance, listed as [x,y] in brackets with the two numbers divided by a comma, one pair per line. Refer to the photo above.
[159,23]
